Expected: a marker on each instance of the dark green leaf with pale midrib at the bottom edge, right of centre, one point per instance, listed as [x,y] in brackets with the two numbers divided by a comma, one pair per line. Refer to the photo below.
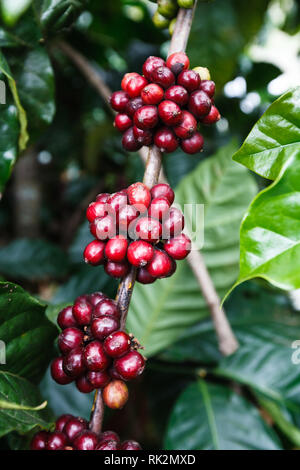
[213,417]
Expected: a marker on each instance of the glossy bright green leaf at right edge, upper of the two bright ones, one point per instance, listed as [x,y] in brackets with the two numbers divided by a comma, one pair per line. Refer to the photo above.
[275,138]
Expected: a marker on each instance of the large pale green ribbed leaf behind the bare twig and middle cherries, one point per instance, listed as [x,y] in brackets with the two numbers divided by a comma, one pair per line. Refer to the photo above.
[160,312]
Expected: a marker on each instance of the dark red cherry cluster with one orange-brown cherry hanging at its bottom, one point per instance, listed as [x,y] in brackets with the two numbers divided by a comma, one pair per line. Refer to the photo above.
[95,352]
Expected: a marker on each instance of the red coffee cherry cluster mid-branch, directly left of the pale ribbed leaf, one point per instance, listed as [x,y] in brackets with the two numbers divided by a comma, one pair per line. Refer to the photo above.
[137,227]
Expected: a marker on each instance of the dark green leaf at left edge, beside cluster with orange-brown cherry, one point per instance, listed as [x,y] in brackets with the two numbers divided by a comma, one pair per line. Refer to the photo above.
[26,332]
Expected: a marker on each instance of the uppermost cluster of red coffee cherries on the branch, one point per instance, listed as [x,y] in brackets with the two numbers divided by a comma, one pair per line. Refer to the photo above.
[165,106]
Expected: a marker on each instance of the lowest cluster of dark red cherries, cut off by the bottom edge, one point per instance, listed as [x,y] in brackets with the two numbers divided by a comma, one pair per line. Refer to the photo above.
[72,433]
